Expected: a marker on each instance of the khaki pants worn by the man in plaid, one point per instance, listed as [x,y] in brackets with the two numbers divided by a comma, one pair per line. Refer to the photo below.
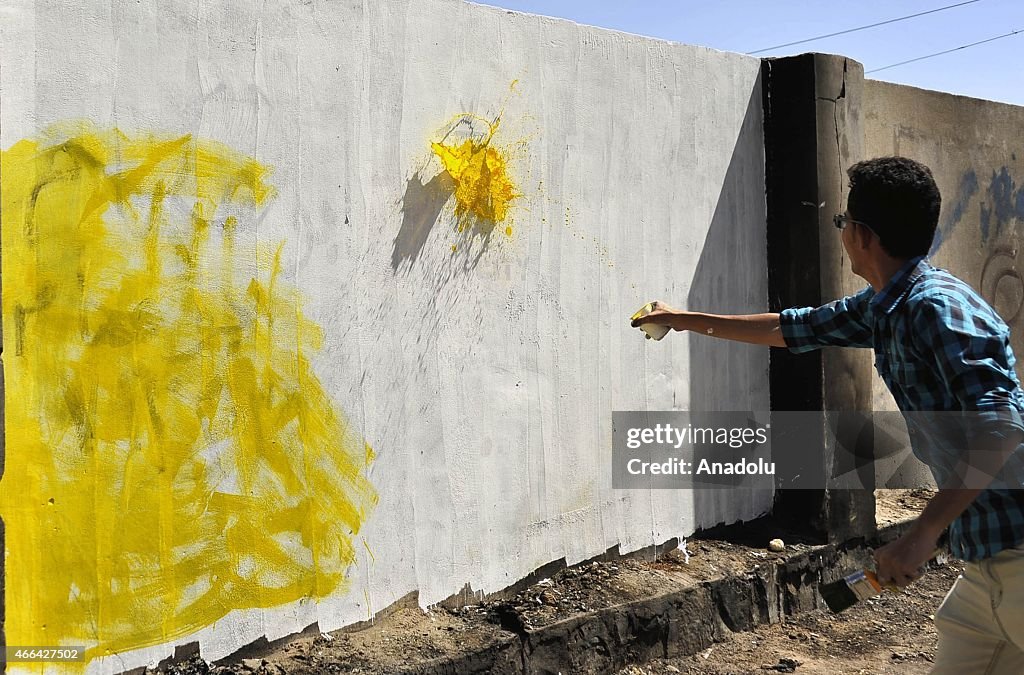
[982,621]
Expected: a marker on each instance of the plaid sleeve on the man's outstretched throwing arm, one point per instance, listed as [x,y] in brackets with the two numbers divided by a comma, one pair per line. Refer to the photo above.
[843,323]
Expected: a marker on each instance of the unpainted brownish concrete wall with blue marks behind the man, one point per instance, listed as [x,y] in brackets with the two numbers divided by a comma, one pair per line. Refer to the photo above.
[976,151]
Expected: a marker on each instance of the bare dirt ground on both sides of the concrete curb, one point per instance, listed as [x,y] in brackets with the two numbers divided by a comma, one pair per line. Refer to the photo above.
[890,635]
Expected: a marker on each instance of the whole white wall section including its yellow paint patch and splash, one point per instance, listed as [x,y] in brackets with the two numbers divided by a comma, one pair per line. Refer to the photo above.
[309,307]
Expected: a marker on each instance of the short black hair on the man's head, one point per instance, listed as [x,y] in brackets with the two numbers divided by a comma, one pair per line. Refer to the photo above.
[899,200]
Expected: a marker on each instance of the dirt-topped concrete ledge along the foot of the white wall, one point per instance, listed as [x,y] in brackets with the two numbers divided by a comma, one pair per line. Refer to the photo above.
[720,583]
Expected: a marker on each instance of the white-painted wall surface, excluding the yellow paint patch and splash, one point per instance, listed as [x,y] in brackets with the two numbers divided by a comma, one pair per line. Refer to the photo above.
[487,390]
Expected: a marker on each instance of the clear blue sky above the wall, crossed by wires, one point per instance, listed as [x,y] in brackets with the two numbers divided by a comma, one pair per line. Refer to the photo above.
[994,71]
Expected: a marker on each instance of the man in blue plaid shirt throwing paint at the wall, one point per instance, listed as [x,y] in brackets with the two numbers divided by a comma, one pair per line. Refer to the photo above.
[940,348]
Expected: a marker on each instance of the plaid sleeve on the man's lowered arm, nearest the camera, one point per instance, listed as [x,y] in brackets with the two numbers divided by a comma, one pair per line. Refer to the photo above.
[971,349]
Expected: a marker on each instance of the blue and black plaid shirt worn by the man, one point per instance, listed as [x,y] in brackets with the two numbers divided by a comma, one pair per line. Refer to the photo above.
[938,347]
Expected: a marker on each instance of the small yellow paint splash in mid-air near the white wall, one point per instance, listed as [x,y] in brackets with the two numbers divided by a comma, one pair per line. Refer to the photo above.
[484,188]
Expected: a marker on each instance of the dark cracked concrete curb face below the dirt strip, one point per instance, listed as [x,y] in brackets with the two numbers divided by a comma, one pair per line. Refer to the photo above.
[681,622]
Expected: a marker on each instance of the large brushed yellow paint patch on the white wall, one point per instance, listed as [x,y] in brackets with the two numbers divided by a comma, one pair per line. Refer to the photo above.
[170,454]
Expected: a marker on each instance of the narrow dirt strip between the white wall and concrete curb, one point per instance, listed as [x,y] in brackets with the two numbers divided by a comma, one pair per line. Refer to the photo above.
[412,638]
